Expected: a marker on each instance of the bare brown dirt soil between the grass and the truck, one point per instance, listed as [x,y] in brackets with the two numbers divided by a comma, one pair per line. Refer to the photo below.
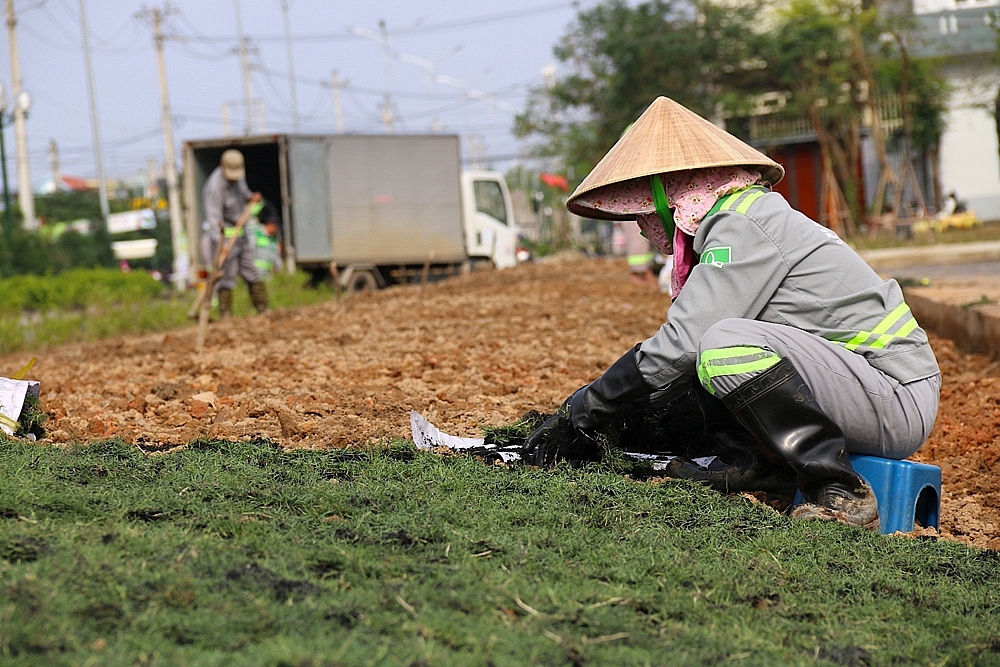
[471,351]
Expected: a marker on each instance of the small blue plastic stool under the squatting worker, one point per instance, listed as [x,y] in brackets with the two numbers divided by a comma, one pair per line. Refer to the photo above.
[907,492]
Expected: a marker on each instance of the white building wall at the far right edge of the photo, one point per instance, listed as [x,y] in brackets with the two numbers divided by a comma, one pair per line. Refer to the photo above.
[970,161]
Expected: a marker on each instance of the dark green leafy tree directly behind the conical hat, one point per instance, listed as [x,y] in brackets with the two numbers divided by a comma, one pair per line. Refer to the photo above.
[619,58]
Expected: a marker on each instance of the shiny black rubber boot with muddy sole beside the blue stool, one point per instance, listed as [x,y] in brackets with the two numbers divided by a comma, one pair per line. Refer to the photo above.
[779,410]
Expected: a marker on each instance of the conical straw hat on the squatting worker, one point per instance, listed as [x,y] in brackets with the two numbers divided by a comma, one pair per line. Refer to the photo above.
[667,137]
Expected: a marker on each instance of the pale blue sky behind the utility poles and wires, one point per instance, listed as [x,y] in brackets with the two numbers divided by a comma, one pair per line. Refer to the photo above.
[457,66]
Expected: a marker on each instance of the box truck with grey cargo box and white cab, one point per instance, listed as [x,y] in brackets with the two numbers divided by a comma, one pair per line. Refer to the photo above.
[380,209]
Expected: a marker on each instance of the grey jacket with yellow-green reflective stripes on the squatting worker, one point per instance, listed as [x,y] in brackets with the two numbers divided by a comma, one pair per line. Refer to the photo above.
[762,260]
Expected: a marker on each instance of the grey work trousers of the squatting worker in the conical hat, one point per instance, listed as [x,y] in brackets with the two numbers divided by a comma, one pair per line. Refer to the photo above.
[878,415]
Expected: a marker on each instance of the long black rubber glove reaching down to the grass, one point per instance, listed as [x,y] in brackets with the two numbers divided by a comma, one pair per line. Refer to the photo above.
[587,410]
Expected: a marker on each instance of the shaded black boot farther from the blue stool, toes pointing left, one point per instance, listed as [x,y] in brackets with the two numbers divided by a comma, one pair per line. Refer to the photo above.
[741,465]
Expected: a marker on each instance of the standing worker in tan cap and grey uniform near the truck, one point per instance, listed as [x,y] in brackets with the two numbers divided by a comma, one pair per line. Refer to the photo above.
[225,195]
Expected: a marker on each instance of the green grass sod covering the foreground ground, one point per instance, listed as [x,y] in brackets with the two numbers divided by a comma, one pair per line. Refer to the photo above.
[243,554]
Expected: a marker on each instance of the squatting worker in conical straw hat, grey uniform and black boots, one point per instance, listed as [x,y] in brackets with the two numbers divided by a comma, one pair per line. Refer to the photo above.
[780,324]
